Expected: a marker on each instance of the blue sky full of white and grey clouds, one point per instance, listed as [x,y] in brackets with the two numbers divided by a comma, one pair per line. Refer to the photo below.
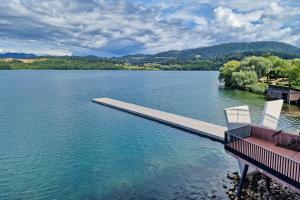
[115,28]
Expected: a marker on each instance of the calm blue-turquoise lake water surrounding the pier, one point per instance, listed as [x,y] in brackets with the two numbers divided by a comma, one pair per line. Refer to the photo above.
[56,144]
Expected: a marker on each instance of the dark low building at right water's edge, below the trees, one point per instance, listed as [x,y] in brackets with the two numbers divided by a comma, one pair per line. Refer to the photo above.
[288,94]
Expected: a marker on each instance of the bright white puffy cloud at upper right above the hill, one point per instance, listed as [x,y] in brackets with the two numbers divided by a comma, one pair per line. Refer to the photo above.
[274,22]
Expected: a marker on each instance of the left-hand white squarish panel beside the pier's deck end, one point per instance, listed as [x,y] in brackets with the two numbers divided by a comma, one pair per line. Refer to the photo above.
[237,117]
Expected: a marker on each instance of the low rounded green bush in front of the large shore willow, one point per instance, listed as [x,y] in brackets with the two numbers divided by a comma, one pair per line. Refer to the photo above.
[243,78]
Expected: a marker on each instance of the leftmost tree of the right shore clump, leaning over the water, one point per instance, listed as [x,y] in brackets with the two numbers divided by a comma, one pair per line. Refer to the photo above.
[227,70]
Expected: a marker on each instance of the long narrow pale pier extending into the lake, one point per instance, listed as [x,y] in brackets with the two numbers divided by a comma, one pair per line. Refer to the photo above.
[201,128]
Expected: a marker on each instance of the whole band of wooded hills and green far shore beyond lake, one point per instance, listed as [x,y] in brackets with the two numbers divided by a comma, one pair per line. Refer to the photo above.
[203,58]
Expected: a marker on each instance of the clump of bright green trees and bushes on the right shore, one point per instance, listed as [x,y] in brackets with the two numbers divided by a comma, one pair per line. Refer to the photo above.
[255,73]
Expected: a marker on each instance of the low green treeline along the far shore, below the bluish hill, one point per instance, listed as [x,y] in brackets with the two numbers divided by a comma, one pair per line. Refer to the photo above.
[96,63]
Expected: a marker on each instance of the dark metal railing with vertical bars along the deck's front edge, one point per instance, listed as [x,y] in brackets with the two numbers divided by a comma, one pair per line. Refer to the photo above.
[282,167]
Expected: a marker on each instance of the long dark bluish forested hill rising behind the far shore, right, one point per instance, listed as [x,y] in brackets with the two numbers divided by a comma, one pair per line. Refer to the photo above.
[218,54]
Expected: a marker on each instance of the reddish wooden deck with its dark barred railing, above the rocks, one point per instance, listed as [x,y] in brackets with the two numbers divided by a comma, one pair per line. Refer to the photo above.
[279,163]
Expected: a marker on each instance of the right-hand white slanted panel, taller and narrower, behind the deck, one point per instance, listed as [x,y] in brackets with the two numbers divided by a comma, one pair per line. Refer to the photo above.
[271,114]
